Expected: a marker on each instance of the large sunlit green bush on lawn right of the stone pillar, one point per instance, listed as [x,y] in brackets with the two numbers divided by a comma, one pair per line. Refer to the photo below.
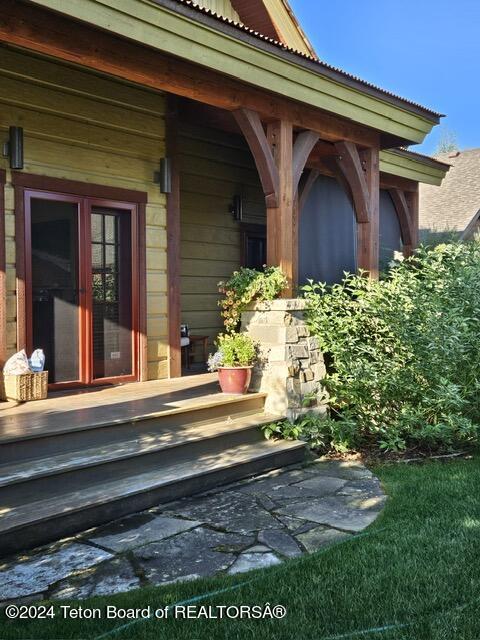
[403,352]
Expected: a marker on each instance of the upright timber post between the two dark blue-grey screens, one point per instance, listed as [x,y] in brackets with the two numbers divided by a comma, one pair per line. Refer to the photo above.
[368,232]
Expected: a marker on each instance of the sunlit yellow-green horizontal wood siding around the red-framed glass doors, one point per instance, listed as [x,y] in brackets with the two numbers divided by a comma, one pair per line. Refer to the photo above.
[81,126]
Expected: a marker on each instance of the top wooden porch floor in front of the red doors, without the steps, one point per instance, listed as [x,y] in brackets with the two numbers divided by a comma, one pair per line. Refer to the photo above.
[72,410]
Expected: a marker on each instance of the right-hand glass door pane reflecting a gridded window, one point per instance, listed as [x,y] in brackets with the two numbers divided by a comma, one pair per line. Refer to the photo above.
[111,292]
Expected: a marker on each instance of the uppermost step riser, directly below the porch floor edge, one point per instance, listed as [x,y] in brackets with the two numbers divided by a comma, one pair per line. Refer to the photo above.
[26,449]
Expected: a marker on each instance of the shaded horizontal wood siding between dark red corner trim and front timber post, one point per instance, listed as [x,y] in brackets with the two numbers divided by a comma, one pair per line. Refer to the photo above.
[214,167]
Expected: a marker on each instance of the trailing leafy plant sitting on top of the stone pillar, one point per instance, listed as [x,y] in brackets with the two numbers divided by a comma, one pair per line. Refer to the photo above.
[245,286]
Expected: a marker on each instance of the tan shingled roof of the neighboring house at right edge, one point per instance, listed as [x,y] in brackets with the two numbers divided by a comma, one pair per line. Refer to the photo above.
[452,206]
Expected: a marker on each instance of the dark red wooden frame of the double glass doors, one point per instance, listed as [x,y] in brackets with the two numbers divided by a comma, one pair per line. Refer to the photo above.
[86,194]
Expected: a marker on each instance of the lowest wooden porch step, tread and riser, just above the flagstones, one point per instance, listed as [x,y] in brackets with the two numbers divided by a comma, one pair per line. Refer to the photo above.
[67,511]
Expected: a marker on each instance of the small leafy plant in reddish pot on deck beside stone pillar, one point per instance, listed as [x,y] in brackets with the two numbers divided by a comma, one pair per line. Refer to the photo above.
[234,360]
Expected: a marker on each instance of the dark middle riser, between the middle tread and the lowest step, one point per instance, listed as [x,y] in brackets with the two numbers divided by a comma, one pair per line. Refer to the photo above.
[29,490]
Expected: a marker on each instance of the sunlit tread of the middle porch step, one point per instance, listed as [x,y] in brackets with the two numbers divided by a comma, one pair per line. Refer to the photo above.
[141,444]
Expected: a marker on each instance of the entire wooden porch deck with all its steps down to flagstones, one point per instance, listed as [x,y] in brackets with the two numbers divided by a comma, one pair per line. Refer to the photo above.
[77,460]
